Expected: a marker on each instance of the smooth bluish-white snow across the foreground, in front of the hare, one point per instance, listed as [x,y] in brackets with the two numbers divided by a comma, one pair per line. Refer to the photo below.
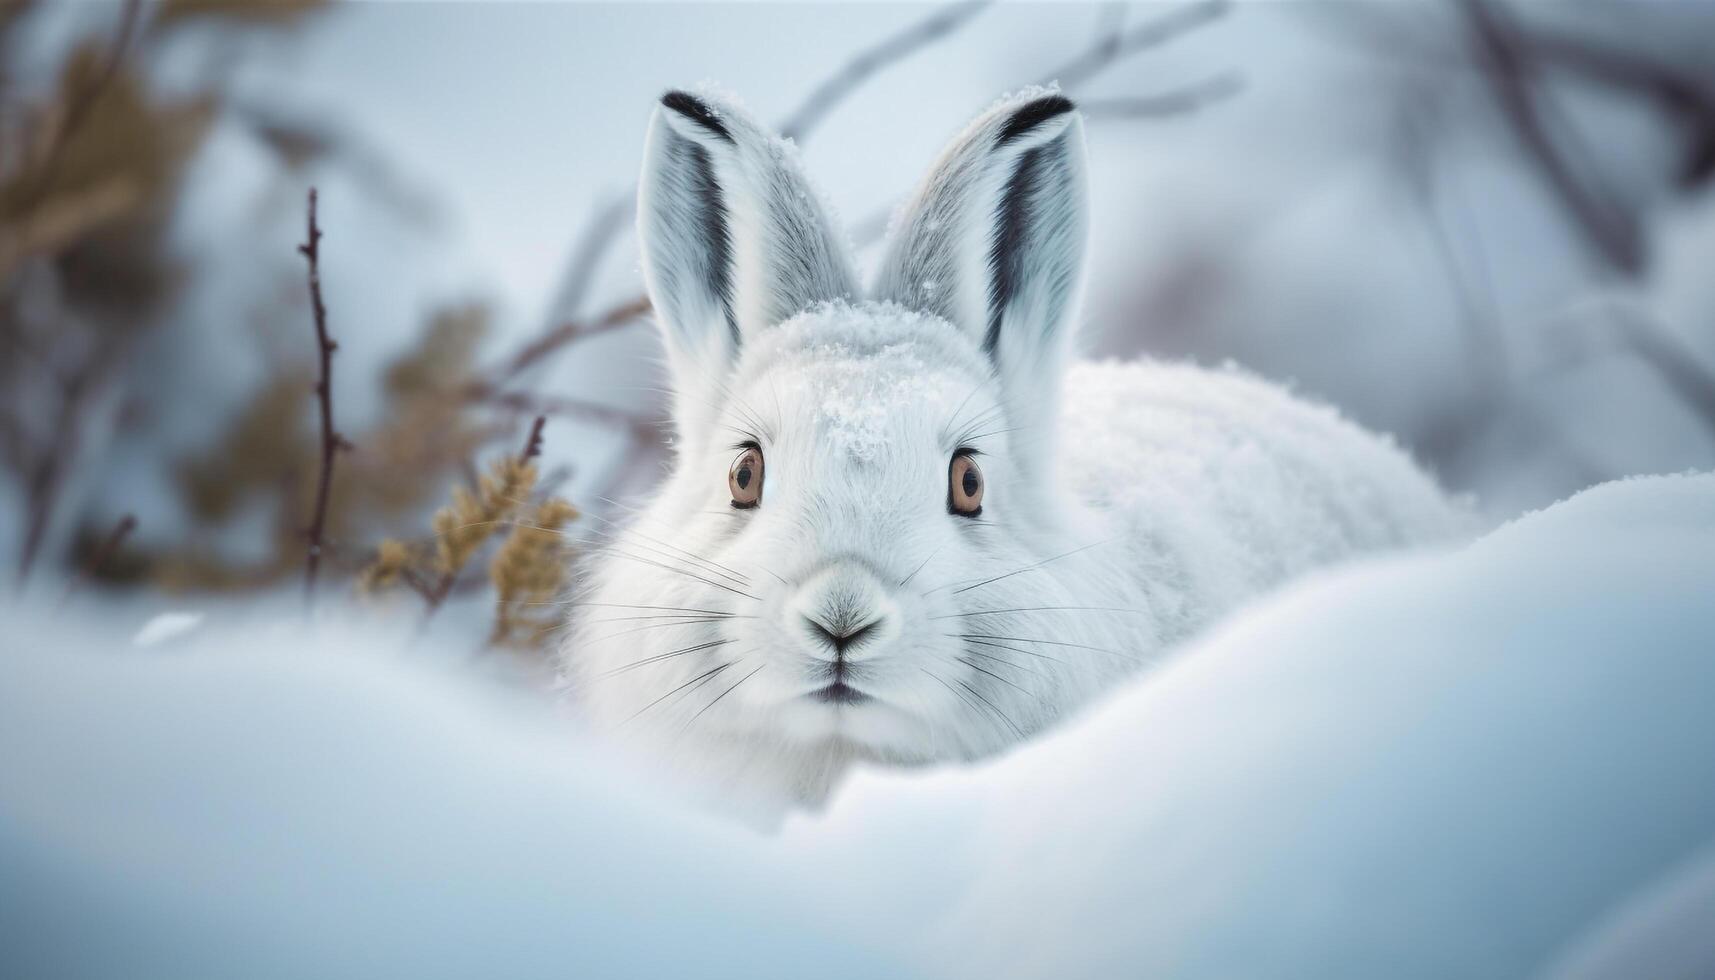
[1477,763]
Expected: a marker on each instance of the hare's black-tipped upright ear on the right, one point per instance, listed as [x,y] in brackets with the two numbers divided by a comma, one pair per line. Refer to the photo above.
[994,243]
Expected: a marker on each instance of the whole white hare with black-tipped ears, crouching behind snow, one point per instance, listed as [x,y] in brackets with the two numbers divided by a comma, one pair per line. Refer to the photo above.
[900,526]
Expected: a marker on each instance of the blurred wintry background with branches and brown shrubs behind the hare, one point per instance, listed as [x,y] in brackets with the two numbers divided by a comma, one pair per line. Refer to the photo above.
[1483,226]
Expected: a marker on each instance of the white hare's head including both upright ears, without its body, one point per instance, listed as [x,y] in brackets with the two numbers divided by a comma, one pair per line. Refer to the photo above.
[864,481]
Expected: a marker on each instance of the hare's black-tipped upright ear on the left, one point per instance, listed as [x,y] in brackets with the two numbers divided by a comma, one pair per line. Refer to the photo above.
[735,238]
